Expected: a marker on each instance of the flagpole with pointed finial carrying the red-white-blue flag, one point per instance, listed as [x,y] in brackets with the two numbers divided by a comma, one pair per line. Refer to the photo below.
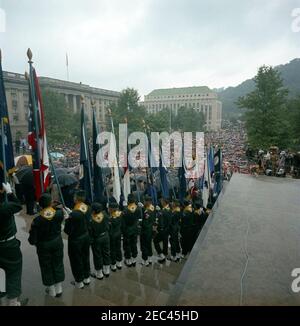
[35,116]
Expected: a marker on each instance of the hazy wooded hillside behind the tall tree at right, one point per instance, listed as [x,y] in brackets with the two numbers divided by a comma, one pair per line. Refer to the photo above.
[290,73]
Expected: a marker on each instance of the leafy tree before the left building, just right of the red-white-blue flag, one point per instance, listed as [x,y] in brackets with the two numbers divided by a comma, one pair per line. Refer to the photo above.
[62,125]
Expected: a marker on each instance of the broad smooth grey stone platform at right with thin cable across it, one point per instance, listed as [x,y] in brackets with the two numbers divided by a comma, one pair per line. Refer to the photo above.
[212,275]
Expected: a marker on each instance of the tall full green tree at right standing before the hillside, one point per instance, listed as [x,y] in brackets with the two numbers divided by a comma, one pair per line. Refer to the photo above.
[266,111]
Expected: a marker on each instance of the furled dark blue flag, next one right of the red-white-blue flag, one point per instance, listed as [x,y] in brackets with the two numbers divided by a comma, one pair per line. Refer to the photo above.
[85,176]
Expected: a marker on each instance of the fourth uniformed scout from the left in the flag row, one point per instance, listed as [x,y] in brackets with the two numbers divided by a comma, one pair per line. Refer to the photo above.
[98,230]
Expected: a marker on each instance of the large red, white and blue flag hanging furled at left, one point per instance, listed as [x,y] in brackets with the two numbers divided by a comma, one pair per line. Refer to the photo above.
[37,136]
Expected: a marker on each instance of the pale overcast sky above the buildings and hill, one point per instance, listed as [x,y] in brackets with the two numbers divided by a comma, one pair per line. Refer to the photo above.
[148,44]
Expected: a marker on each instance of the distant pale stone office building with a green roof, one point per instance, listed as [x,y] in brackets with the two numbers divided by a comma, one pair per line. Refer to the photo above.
[201,99]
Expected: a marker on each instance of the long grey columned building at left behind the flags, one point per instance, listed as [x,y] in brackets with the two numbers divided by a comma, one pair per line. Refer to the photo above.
[17,94]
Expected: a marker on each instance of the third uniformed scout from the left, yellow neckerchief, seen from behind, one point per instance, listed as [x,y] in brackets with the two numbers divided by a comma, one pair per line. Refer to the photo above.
[76,227]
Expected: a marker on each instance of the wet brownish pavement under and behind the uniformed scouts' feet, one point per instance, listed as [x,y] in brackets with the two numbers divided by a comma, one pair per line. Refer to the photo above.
[132,286]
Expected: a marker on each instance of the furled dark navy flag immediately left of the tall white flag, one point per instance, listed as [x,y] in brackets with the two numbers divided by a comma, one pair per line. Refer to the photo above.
[98,178]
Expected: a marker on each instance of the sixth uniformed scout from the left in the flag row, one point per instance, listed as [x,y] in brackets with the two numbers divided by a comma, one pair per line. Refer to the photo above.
[130,219]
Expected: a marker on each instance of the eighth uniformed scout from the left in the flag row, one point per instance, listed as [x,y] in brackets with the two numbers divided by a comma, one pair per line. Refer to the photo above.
[163,228]
